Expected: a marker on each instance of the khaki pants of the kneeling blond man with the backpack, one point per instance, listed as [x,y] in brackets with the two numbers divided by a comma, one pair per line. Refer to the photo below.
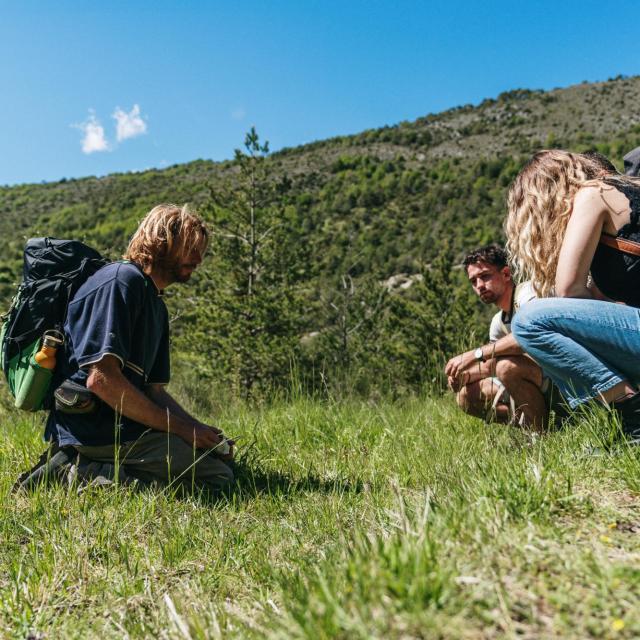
[157,457]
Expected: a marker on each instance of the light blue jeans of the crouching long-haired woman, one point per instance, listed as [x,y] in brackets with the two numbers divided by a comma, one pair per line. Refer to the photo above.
[585,346]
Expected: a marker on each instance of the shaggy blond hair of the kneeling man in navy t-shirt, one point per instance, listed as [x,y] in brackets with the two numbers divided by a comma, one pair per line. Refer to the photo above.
[166,234]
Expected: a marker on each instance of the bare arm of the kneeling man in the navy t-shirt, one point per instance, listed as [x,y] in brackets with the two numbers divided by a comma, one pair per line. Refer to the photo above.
[109,384]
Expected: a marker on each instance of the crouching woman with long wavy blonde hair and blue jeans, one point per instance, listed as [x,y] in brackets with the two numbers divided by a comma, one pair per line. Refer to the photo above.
[573,229]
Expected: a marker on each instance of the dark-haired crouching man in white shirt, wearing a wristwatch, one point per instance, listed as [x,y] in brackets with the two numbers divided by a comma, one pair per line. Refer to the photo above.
[497,380]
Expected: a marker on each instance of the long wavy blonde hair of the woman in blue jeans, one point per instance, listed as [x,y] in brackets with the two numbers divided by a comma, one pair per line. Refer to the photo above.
[540,203]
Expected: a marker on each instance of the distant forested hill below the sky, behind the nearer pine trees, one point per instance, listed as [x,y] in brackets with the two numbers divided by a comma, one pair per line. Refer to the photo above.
[368,206]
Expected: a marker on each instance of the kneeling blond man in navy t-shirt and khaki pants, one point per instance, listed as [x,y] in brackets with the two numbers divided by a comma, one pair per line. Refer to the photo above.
[117,347]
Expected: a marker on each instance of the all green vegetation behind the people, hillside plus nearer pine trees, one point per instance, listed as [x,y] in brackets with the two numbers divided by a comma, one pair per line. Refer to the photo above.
[348,214]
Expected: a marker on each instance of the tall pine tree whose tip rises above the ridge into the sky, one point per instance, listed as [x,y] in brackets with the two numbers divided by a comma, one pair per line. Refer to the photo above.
[253,321]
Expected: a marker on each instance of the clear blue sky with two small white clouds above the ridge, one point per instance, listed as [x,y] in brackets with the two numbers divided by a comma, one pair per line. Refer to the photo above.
[93,88]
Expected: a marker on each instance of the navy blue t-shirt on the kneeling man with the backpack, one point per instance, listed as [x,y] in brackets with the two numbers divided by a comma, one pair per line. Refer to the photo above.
[118,311]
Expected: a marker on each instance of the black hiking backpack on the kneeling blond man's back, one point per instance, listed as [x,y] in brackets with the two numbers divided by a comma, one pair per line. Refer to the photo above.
[53,271]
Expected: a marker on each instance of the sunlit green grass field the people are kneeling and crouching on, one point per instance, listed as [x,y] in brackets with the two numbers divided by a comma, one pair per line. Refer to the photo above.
[350,520]
